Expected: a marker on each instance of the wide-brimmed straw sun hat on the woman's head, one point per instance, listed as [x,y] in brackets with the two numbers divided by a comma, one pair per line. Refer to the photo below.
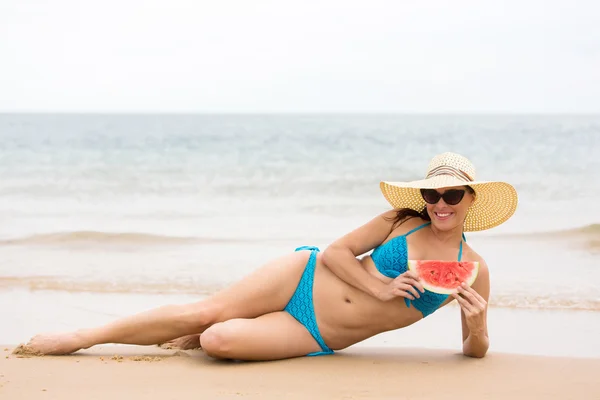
[495,202]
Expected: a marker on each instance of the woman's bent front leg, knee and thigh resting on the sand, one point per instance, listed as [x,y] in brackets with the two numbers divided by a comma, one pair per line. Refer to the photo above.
[272,336]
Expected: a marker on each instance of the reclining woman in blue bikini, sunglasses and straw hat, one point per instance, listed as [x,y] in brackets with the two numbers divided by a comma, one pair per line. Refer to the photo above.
[312,303]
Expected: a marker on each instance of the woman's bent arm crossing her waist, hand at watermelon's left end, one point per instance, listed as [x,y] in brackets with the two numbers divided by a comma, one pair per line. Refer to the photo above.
[340,258]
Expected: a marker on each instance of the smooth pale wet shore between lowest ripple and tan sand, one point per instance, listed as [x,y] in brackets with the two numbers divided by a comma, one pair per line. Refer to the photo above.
[512,330]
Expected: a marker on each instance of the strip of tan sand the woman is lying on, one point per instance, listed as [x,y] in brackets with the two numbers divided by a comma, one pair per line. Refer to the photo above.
[133,372]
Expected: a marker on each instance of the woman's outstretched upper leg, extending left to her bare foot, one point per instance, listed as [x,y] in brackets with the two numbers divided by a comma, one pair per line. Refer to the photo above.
[266,290]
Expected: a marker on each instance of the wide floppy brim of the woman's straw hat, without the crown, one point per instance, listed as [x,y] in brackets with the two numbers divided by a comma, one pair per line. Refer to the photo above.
[495,202]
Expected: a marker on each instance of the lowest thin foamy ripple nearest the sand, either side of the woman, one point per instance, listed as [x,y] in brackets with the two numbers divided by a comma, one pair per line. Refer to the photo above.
[573,302]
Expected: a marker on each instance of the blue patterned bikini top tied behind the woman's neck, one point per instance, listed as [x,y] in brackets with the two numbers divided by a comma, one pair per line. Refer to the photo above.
[391,259]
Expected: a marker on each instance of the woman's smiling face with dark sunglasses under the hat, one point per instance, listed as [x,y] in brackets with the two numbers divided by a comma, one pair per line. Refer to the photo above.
[447,207]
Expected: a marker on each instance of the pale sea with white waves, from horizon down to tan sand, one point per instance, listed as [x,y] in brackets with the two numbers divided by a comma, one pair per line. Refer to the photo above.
[104,215]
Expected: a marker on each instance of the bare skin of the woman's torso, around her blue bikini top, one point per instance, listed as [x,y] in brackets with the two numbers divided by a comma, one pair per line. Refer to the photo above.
[347,315]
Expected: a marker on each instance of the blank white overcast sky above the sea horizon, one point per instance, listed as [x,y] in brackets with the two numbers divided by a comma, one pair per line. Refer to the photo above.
[300,56]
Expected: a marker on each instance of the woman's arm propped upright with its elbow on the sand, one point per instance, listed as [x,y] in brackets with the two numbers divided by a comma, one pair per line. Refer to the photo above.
[473,304]
